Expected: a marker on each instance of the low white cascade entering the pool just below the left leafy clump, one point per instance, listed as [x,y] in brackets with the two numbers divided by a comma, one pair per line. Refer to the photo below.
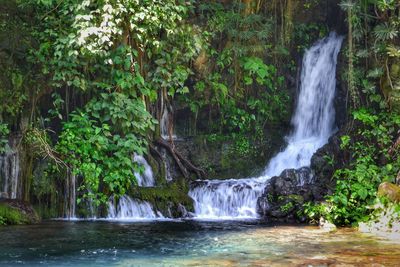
[131,209]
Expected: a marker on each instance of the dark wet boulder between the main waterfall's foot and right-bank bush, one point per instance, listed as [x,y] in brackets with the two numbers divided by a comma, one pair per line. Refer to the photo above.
[285,194]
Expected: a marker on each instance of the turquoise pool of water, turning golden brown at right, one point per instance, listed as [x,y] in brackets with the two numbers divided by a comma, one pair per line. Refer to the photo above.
[188,243]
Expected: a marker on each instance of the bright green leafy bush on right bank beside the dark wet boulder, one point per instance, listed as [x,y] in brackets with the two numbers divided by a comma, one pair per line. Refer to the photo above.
[371,165]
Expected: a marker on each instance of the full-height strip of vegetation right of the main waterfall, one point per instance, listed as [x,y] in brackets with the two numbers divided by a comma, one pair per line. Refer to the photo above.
[373,79]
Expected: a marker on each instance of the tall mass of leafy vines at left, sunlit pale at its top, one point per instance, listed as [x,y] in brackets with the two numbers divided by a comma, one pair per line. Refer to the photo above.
[120,56]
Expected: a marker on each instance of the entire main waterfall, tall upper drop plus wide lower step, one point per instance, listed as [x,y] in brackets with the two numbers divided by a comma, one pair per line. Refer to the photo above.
[313,123]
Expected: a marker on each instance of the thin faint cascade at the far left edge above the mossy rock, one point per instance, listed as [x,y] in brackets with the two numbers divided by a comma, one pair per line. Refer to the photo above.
[10,172]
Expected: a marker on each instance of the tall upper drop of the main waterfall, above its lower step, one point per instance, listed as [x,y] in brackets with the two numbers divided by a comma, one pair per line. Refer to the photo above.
[314,117]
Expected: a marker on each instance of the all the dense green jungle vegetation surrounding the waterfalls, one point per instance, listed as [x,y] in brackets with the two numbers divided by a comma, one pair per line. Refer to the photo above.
[86,84]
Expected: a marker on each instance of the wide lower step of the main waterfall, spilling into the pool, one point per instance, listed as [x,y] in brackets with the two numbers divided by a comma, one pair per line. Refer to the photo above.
[229,199]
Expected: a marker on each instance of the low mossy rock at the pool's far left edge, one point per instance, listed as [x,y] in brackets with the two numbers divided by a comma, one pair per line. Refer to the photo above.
[17,212]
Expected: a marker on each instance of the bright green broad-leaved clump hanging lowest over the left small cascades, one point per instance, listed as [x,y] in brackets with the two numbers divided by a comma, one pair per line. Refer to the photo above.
[101,157]
